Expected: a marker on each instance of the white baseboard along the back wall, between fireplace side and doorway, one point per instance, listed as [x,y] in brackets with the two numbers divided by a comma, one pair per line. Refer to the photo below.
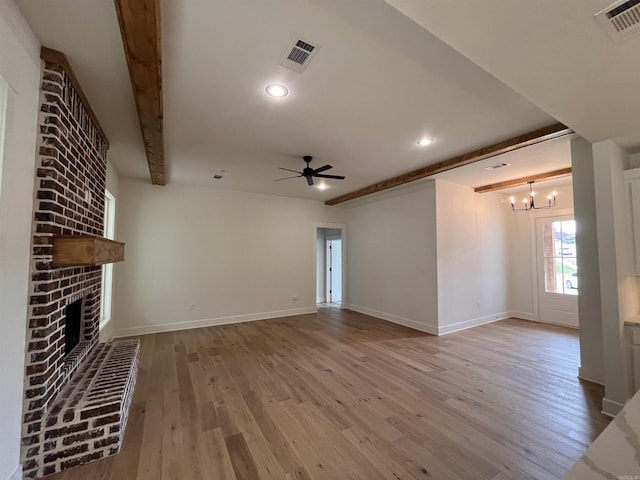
[209,322]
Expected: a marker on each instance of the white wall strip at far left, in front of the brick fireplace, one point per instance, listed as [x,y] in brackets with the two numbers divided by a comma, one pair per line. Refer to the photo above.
[20,67]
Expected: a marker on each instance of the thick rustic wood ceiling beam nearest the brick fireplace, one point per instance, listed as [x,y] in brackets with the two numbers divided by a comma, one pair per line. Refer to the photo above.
[140,27]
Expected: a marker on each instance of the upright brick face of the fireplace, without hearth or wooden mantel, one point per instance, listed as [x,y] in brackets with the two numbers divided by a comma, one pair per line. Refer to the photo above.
[69,199]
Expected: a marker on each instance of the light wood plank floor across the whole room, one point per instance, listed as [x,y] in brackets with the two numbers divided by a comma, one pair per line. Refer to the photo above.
[340,395]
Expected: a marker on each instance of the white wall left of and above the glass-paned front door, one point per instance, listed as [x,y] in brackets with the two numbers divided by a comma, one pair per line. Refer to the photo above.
[521,248]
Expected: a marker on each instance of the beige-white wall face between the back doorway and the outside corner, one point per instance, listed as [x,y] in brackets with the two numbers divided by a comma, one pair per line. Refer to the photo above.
[392,256]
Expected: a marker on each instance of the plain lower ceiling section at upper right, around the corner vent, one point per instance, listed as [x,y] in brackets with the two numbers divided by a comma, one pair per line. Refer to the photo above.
[555,53]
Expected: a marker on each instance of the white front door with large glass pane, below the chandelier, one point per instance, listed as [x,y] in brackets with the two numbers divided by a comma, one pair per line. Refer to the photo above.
[557,270]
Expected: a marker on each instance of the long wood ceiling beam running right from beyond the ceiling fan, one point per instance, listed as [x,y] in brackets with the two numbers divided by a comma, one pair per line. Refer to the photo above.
[547,133]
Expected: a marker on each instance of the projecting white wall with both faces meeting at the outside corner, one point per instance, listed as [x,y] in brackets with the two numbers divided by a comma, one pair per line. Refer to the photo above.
[425,255]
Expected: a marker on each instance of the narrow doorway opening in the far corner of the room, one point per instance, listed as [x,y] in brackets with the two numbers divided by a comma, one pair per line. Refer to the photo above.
[329,266]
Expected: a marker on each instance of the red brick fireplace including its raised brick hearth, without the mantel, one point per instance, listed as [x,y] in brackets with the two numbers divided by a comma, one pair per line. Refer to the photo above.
[77,392]
